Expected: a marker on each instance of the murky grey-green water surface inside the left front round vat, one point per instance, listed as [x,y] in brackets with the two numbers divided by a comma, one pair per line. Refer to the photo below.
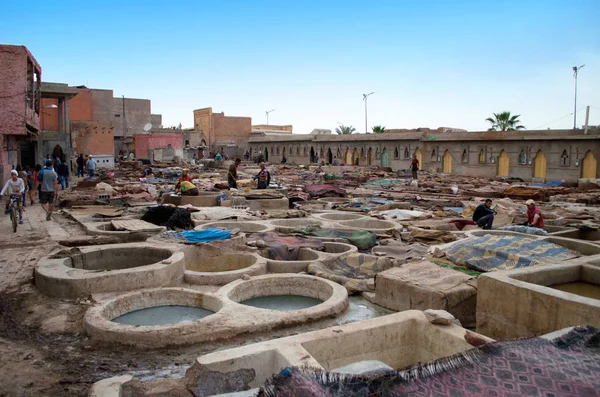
[162,315]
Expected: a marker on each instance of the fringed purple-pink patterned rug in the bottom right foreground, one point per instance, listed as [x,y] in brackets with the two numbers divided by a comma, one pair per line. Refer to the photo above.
[567,366]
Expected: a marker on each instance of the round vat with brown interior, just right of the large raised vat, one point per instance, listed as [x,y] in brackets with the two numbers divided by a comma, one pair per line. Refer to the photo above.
[215,267]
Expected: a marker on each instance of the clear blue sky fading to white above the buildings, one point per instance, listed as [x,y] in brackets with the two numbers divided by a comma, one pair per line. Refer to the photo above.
[430,63]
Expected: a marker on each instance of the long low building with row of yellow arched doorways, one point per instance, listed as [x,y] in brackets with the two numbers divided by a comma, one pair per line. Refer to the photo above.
[529,155]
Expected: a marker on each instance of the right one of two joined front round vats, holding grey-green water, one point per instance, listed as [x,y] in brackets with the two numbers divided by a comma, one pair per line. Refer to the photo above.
[286,292]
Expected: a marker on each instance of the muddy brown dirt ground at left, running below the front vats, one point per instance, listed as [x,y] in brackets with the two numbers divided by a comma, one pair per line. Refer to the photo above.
[43,348]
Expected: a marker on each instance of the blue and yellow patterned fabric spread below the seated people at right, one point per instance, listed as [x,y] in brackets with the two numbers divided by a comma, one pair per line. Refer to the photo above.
[492,253]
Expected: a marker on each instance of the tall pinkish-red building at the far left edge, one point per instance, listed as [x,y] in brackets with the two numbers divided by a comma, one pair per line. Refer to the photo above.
[20,106]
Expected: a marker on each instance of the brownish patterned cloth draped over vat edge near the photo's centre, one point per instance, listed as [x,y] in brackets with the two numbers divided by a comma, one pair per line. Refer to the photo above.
[354,271]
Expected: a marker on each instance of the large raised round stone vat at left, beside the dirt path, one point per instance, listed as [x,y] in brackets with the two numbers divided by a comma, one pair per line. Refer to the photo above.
[115,267]
